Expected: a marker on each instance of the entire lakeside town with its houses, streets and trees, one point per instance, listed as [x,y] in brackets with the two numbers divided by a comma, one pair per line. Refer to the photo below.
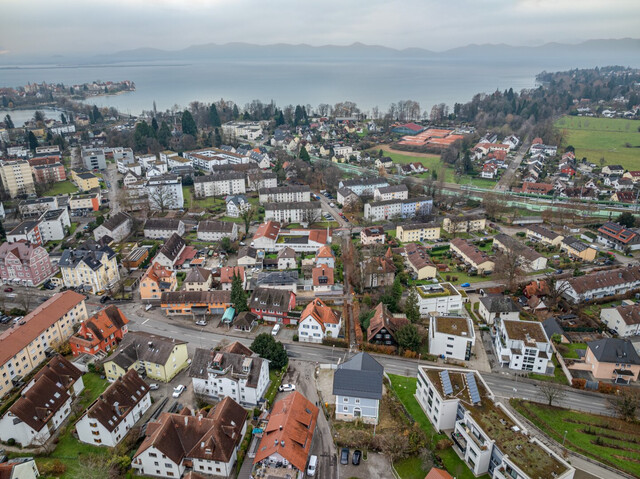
[265,292]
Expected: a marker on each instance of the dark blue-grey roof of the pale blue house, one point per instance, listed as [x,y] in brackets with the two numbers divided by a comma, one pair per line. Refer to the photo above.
[361,376]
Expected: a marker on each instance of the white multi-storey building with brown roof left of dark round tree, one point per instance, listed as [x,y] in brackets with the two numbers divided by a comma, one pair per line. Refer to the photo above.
[234,371]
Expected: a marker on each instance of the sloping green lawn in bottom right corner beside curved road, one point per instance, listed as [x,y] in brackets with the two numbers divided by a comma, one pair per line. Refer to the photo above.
[606,439]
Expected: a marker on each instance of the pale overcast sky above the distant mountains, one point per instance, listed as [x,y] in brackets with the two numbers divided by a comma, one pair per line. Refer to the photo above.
[104,26]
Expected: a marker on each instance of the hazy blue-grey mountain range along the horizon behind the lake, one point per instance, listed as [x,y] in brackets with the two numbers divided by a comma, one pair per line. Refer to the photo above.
[624,52]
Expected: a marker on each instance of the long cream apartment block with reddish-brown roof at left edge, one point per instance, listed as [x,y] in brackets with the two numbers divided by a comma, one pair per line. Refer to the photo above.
[23,347]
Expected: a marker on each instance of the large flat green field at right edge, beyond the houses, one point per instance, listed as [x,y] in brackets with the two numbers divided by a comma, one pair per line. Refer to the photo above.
[616,140]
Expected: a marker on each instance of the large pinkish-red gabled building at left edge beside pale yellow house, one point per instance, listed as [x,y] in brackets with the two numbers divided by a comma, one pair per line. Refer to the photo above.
[26,264]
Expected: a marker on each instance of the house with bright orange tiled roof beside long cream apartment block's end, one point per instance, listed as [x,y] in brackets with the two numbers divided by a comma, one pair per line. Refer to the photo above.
[100,333]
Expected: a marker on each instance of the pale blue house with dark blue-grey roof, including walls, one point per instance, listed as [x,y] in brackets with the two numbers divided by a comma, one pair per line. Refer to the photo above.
[357,386]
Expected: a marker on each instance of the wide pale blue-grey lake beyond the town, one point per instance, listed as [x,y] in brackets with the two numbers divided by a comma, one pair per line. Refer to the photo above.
[368,83]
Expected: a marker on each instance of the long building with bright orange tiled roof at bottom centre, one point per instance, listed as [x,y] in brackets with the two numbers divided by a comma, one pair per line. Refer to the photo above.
[288,435]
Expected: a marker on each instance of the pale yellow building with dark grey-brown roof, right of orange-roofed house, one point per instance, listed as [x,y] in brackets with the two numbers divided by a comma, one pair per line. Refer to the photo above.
[161,357]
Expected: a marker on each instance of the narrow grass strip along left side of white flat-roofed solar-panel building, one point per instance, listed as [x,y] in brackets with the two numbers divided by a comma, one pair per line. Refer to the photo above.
[405,388]
